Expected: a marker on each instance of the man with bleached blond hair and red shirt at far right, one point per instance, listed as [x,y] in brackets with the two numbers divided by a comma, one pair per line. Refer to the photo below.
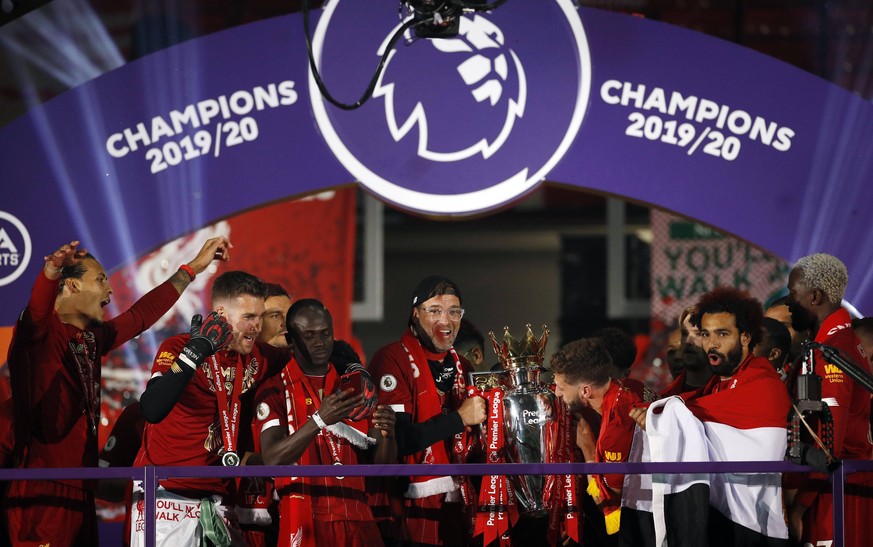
[816,287]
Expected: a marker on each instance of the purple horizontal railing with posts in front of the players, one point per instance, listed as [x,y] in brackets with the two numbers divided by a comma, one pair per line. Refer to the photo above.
[152,475]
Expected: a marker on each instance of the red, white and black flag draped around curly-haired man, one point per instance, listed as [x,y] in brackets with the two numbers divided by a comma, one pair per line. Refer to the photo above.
[742,418]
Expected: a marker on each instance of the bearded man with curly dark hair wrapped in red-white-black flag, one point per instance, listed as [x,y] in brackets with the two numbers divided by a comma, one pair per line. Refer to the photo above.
[739,415]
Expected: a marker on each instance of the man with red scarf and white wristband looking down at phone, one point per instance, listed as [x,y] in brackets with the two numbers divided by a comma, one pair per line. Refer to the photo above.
[305,418]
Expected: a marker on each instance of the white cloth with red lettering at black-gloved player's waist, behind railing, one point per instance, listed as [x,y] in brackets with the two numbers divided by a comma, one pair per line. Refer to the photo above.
[177,520]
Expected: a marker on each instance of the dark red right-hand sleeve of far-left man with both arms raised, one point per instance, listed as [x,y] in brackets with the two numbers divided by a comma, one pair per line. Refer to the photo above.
[142,315]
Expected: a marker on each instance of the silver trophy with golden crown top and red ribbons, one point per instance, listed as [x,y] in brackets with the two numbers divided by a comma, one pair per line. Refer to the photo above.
[528,412]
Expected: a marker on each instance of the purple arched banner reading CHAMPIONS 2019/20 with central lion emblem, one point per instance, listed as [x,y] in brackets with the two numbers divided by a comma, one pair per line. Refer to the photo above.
[531,91]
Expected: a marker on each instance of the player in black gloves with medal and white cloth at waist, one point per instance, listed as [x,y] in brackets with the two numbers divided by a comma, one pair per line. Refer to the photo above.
[193,404]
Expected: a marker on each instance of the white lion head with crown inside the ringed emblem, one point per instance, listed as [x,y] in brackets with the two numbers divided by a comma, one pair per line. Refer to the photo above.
[486,78]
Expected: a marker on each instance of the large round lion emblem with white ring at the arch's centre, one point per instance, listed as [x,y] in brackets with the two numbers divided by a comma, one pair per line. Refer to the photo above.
[457,125]
